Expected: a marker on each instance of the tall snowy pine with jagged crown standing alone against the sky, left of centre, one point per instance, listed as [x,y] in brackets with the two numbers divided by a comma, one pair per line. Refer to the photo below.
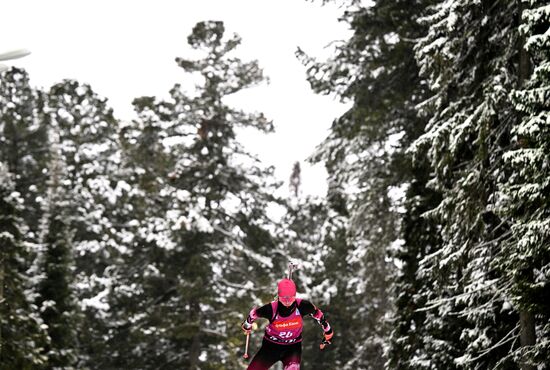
[229,186]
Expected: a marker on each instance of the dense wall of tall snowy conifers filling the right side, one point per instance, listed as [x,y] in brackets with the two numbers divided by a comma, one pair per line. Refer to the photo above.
[450,104]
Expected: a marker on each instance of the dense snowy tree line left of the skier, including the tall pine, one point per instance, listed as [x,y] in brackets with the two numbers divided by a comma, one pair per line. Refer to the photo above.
[134,244]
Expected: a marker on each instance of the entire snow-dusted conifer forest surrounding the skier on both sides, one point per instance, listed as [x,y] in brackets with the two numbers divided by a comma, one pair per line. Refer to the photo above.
[143,244]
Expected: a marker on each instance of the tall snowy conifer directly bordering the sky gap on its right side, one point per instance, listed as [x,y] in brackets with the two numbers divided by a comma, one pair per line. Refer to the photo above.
[365,152]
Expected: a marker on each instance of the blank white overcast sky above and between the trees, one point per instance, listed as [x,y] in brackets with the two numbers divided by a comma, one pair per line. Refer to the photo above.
[126,49]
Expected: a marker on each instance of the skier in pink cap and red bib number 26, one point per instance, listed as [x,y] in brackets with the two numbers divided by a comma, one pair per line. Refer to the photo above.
[283,336]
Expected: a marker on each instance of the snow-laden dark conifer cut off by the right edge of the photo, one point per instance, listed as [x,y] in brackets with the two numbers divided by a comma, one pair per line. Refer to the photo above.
[524,198]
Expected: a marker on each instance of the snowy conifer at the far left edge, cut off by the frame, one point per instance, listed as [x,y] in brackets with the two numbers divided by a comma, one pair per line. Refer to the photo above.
[22,158]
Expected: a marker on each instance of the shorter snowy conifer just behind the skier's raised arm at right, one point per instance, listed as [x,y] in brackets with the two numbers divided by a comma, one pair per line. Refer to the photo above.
[317,235]
